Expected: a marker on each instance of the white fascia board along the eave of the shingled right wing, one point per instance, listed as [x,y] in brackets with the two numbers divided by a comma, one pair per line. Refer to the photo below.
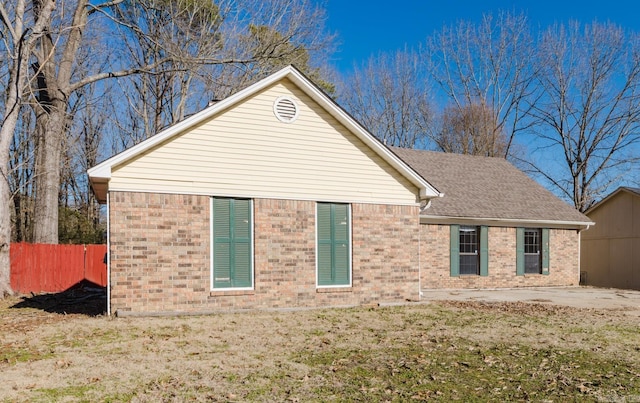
[505,222]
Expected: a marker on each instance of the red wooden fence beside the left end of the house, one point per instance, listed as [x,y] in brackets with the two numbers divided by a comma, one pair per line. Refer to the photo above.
[55,268]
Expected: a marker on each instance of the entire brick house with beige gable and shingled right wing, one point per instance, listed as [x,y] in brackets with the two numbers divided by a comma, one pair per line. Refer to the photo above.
[276,197]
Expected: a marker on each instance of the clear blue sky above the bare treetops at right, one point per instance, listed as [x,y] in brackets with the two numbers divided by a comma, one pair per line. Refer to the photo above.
[368,27]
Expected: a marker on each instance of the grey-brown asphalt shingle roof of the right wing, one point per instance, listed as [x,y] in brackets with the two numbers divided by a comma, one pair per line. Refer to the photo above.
[485,188]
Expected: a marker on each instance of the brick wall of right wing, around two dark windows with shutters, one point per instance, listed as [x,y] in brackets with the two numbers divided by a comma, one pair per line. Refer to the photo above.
[435,273]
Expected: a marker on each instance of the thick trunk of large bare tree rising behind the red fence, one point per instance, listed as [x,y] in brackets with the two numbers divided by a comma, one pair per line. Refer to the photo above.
[56,56]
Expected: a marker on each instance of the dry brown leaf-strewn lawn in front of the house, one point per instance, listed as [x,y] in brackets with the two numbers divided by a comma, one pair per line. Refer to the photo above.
[469,351]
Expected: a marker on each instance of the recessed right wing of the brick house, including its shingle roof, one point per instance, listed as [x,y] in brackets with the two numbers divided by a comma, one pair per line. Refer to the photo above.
[495,227]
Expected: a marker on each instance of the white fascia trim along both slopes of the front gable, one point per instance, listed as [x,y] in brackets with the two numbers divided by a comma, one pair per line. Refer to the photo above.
[103,170]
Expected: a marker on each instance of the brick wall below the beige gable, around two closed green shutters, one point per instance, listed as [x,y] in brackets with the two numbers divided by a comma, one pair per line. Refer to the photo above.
[160,255]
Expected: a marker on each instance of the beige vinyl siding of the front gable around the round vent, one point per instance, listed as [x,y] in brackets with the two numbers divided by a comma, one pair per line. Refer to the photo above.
[247,152]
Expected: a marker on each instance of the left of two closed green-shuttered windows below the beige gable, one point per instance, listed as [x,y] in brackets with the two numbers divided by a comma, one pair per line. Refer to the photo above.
[231,239]
